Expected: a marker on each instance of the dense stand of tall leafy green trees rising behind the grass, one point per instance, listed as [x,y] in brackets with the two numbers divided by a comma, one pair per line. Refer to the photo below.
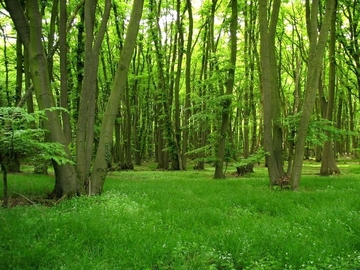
[211,81]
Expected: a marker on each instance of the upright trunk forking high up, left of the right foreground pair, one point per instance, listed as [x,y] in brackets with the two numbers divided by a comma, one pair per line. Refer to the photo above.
[271,97]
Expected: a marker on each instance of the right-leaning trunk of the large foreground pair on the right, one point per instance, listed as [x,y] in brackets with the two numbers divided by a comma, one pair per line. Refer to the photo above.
[316,54]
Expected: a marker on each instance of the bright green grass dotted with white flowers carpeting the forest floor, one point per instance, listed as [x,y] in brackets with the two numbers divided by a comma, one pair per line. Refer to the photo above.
[187,220]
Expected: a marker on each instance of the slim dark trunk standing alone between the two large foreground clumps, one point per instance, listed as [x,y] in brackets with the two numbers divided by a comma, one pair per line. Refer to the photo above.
[226,106]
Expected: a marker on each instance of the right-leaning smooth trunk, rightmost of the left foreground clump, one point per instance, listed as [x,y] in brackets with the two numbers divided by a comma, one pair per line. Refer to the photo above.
[103,153]
